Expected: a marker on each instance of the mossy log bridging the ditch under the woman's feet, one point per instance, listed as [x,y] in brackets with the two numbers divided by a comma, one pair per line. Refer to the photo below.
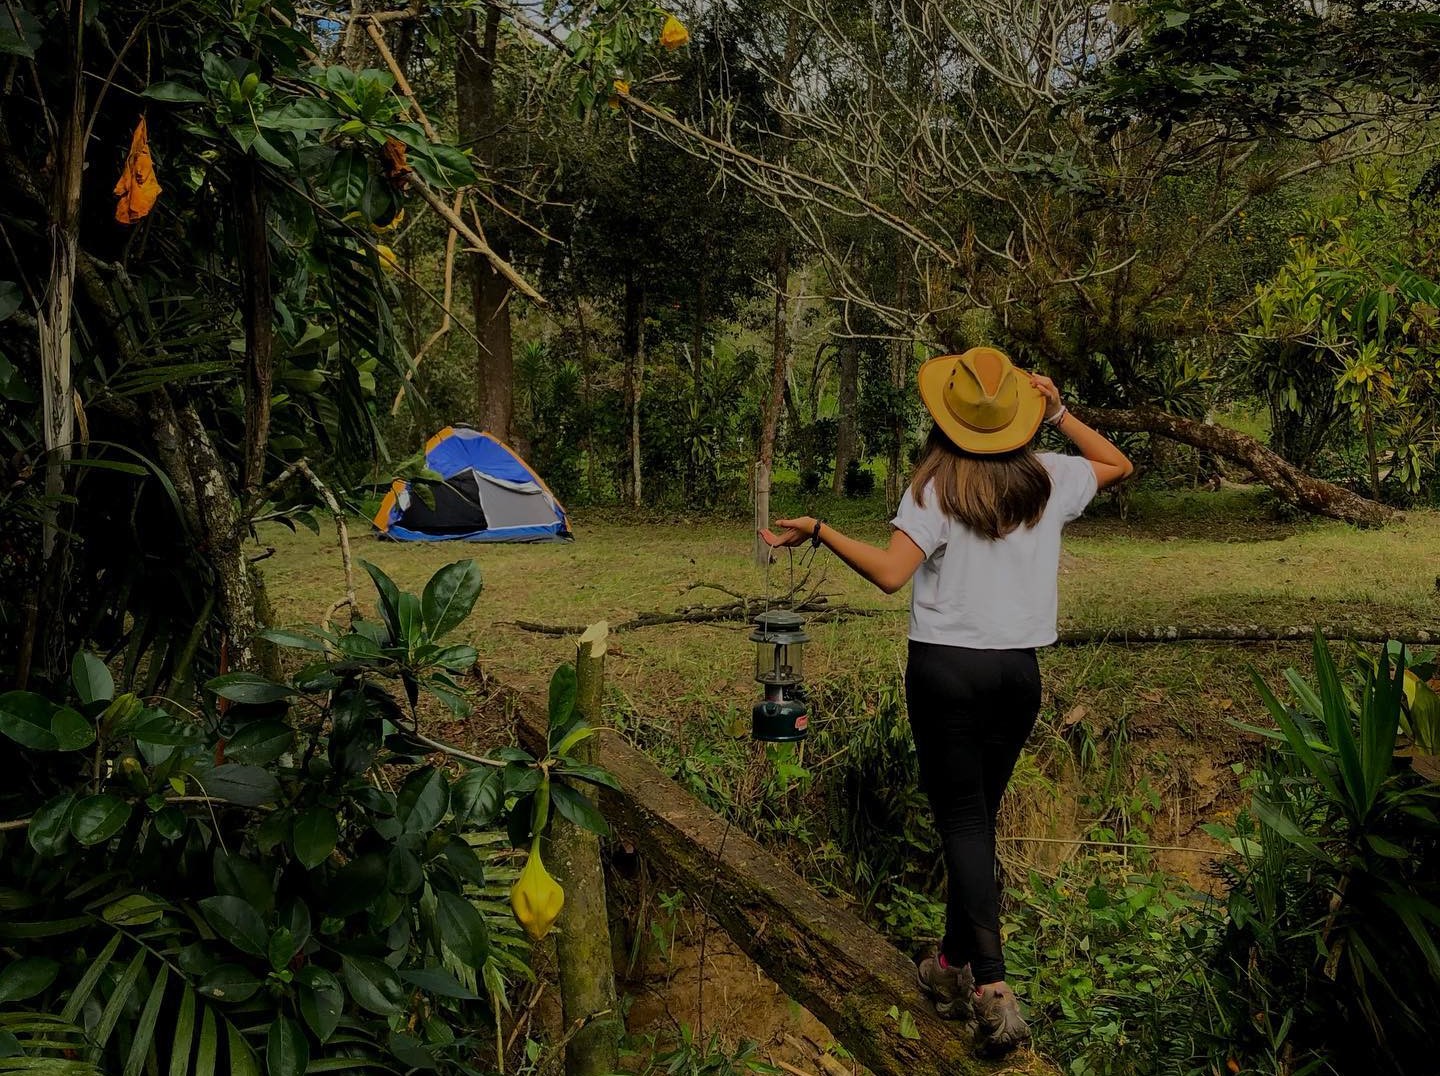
[824,957]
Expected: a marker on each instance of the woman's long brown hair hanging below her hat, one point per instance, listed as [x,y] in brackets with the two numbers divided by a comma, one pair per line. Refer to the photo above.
[991,495]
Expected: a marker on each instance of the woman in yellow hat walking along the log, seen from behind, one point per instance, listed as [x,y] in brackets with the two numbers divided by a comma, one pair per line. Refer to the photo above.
[980,531]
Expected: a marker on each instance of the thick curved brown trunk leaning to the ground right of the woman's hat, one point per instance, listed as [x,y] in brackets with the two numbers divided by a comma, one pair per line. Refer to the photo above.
[1290,485]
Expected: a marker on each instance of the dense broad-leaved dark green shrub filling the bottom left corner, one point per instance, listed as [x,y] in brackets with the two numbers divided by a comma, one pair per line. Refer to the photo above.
[277,884]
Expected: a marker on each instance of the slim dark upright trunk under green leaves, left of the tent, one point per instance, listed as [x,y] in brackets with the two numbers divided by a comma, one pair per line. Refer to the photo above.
[257,308]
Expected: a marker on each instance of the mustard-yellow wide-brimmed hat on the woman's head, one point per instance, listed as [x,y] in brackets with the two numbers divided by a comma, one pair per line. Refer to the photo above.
[981,401]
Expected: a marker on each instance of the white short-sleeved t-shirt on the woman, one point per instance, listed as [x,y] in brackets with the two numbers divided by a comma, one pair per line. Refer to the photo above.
[993,596]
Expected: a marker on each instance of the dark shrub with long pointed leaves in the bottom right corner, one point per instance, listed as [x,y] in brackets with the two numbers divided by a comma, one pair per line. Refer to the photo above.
[1333,946]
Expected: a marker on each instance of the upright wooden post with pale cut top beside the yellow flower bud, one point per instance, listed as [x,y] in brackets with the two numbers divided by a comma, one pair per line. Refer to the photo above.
[584,943]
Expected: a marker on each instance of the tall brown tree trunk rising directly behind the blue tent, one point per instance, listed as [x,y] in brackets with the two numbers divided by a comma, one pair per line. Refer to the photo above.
[490,292]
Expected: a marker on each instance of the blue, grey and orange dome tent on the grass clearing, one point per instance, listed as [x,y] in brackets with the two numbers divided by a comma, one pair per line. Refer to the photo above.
[487,493]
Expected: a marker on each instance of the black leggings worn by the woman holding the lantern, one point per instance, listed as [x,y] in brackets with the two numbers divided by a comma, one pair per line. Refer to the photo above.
[971,712]
